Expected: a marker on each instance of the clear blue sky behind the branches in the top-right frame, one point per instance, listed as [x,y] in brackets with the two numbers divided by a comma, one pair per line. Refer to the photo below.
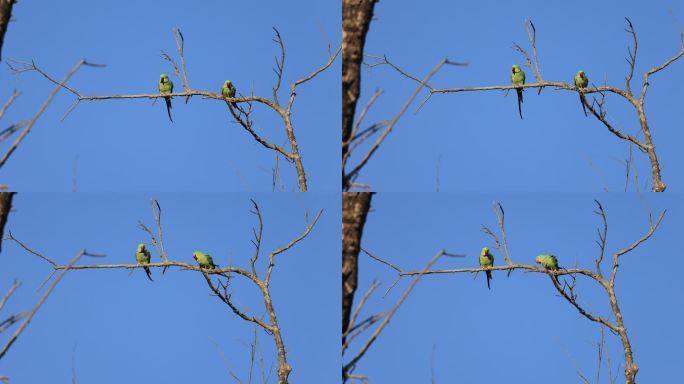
[482,143]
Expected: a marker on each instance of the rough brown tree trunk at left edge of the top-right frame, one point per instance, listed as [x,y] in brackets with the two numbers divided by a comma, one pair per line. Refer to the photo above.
[356,17]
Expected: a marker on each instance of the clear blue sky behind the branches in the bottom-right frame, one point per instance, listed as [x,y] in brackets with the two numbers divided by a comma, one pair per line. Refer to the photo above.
[520,331]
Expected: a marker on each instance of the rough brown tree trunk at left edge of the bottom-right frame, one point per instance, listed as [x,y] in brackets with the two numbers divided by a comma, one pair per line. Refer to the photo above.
[355,206]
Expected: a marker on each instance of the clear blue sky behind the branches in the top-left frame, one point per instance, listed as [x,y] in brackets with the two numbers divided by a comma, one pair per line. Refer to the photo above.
[130,145]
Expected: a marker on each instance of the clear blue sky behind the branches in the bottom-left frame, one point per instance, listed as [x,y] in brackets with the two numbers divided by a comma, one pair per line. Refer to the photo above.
[127,329]
